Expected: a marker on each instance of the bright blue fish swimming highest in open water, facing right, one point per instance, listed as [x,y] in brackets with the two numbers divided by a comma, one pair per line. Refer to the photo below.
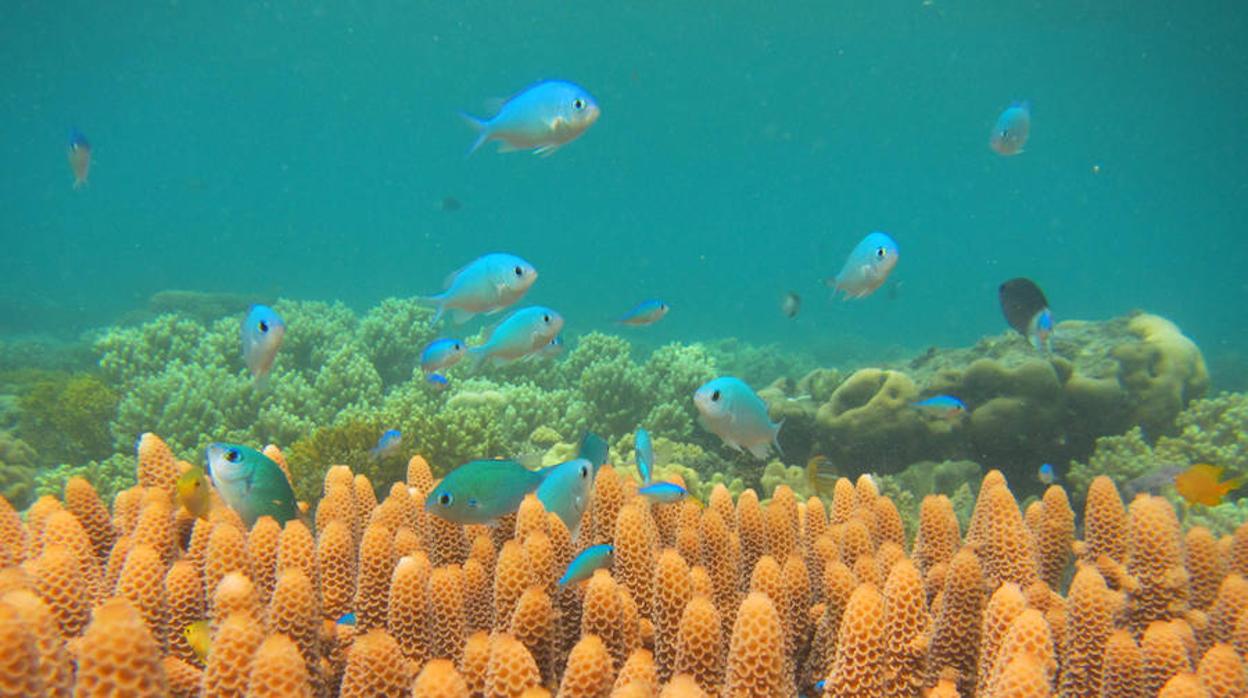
[544,118]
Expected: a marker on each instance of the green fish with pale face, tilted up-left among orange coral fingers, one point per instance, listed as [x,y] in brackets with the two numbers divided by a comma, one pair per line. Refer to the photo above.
[251,484]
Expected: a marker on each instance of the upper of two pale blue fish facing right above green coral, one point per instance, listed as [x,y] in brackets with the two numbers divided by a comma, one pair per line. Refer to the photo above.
[485,285]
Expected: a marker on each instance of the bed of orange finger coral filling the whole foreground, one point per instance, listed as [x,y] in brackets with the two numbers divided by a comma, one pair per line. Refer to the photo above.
[742,597]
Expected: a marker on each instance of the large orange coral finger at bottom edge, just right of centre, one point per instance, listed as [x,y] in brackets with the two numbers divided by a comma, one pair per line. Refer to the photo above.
[756,656]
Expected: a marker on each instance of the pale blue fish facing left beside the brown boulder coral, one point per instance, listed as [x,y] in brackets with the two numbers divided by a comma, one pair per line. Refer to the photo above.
[732,411]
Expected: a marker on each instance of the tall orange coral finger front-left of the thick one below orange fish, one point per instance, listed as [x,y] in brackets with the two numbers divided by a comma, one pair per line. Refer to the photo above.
[1093,611]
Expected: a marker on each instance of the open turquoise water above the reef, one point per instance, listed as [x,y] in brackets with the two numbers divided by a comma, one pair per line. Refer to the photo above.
[303,150]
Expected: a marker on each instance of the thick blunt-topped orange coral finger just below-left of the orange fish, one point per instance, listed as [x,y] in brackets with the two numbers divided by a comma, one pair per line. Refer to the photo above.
[1156,563]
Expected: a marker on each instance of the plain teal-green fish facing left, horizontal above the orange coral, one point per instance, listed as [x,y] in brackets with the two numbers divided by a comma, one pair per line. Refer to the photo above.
[482,491]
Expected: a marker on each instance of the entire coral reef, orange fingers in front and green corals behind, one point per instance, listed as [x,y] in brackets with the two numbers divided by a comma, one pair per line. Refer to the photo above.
[887,551]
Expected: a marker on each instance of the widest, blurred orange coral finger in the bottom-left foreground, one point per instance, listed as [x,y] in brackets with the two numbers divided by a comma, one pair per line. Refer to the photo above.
[118,656]
